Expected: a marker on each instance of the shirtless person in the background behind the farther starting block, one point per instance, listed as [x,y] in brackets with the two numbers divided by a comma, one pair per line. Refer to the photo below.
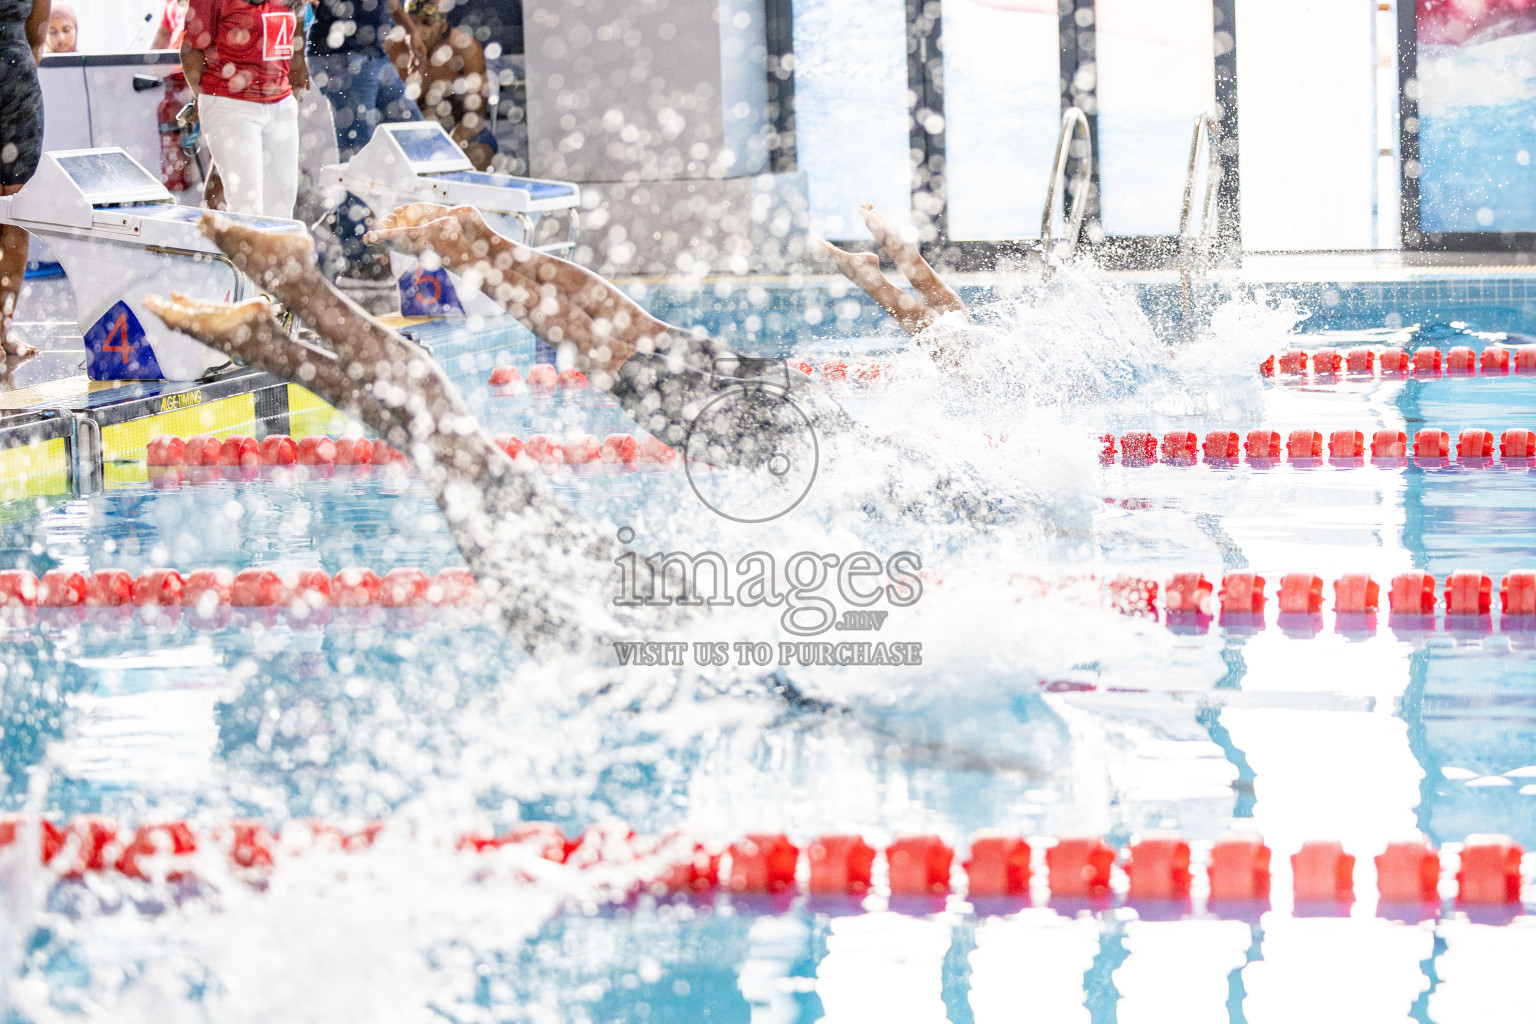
[452,82]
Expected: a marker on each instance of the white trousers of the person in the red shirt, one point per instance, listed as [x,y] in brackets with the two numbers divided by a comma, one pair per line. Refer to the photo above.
[256,150]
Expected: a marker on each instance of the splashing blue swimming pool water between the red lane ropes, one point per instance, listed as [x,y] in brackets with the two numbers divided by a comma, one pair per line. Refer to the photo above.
[1360,732]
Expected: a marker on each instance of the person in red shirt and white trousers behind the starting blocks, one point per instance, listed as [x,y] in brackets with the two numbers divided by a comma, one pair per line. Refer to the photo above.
[243,61]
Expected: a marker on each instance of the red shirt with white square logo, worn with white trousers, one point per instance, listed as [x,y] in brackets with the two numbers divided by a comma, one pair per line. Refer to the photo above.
[248,47]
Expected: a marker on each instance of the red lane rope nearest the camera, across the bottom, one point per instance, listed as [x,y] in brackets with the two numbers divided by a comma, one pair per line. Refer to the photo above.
[1154,867]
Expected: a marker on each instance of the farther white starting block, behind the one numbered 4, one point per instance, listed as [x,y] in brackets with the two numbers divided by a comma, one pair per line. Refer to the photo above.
[419,162]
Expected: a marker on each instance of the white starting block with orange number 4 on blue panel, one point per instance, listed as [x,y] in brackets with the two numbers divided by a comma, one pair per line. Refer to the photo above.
[119,237]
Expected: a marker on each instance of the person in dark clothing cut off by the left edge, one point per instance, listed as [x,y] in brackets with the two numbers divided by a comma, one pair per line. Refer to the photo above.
[24,25]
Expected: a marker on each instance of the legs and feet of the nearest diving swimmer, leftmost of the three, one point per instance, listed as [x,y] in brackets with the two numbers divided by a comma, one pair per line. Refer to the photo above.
[546,570]
